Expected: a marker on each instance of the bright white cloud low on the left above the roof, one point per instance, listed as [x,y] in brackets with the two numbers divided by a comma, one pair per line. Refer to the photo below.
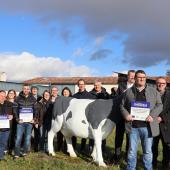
[24,66]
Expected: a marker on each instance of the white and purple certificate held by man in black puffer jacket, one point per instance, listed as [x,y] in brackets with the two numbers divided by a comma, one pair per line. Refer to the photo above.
[26,114]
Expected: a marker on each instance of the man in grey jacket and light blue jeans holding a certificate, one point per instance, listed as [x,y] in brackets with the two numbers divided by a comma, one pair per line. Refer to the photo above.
[141,128]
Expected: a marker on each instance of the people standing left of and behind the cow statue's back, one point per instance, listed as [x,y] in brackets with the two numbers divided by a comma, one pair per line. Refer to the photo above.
[25,119]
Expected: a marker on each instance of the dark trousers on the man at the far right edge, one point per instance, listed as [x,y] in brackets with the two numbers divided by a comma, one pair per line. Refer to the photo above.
[166,150]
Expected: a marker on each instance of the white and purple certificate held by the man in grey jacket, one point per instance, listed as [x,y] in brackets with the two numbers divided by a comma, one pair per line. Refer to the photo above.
[140,110]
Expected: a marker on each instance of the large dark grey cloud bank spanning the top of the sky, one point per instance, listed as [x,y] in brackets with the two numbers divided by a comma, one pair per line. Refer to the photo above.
[145,23]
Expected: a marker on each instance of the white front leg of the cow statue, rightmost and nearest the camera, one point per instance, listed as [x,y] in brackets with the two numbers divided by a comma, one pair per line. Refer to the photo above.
[98,142]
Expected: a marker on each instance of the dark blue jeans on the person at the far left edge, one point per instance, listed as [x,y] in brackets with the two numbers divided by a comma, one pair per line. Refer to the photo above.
[4,135]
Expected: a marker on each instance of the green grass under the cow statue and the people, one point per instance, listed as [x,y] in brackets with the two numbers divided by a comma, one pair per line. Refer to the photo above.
[41,161]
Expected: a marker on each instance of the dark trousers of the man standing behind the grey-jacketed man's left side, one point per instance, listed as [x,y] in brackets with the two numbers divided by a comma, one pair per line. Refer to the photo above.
[120,130]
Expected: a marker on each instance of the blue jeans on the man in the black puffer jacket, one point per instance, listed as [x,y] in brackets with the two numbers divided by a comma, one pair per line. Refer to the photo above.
[27,129]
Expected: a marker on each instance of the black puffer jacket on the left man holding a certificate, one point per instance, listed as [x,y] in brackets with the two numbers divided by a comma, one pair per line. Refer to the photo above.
[25,102]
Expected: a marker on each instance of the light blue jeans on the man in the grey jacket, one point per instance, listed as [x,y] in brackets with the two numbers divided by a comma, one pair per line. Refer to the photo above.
[135,136]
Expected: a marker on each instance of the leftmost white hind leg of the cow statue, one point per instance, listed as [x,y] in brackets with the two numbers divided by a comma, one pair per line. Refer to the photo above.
[56,126]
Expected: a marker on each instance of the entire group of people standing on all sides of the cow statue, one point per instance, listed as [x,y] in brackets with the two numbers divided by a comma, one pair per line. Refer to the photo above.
[28,111]
